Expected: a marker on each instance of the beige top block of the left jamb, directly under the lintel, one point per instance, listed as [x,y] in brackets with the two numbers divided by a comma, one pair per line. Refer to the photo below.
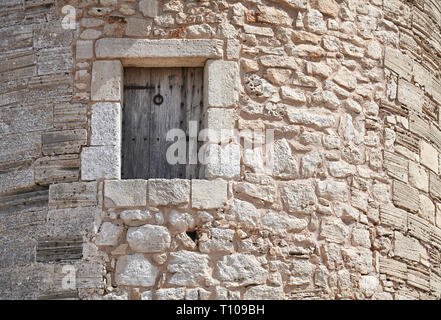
[107,81]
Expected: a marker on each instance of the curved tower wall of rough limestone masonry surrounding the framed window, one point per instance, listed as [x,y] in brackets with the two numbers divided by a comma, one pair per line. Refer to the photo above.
[352,209]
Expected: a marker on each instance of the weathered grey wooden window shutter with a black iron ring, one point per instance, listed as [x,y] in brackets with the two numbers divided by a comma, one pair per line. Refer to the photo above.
[147,119]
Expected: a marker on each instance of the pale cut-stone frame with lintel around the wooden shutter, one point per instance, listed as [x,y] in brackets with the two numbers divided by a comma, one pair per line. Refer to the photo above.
[101,160]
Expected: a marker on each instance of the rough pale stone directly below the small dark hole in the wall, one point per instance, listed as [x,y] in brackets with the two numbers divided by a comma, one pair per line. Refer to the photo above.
[189,268]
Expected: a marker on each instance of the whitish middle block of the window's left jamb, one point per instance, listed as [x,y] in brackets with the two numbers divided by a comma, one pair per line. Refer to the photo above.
[106,124]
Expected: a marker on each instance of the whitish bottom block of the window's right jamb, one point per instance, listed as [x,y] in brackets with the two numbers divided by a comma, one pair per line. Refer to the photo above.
[222,161]
